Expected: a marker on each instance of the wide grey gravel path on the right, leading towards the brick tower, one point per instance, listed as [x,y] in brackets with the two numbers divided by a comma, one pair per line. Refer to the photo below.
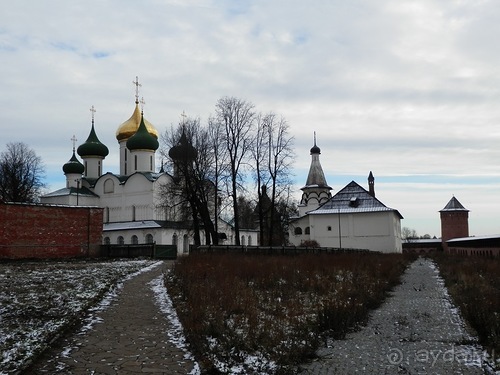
[416,331]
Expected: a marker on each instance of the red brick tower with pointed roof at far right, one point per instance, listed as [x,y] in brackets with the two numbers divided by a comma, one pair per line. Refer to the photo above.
[454,221]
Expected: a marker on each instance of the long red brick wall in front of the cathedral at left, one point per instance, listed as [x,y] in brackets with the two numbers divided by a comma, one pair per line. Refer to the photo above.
[45,231]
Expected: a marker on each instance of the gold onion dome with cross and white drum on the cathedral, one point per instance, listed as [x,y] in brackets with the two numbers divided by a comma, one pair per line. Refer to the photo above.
[128,129]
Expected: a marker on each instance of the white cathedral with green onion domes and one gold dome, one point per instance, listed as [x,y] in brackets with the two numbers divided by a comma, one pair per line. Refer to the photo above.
[134,210]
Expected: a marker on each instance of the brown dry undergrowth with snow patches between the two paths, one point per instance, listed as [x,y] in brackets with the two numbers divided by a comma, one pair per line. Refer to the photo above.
[266,314]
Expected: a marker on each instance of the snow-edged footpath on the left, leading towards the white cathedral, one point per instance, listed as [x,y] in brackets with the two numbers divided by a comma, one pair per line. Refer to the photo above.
[133,335]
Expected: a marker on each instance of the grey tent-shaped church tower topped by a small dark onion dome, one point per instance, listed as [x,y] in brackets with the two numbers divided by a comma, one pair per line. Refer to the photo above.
[316,191]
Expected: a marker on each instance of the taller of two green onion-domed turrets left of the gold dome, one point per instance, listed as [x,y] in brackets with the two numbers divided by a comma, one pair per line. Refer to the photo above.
[93,152]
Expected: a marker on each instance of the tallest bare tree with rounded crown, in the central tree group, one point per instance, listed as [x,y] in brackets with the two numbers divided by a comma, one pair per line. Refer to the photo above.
[237,116]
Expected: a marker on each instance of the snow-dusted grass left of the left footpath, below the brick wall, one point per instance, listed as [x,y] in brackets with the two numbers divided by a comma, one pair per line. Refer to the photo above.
[38,300]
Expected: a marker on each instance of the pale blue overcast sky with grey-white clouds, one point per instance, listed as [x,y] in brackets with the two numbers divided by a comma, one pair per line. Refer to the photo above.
[407,89]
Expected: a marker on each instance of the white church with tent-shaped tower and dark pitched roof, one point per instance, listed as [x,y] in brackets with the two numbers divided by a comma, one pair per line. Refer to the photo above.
[351,219]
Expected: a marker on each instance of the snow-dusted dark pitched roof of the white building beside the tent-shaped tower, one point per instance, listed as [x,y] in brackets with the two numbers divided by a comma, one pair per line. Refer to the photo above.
[351,199]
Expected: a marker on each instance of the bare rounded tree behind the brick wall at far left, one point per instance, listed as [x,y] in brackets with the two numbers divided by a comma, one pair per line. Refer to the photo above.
[21,174]
